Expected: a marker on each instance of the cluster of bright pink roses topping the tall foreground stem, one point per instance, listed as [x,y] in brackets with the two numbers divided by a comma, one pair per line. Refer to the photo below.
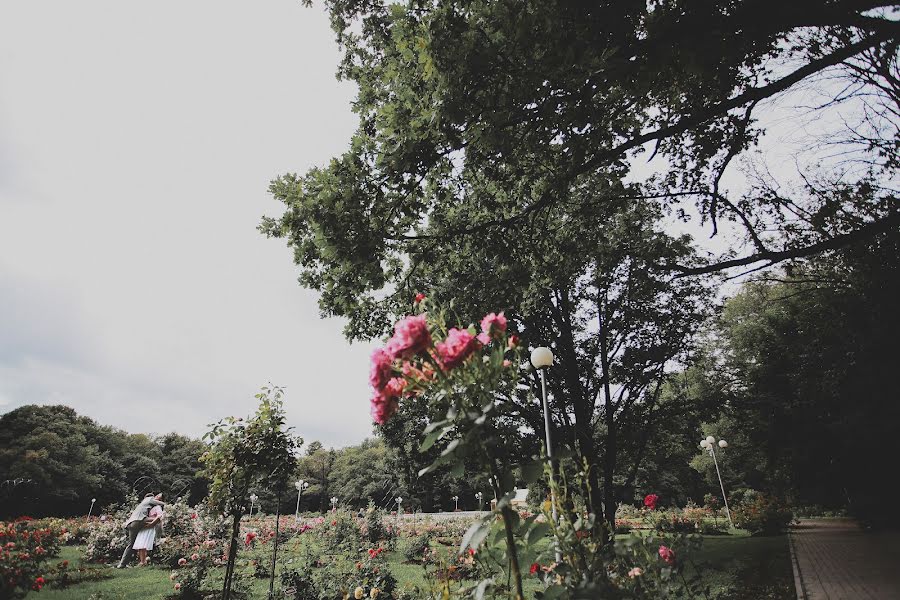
[412,338]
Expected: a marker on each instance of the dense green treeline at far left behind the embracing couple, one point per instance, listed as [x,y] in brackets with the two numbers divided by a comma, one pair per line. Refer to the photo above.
[63,460]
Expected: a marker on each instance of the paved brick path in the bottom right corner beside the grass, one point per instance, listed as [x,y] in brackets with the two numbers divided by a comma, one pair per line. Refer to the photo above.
[835,560]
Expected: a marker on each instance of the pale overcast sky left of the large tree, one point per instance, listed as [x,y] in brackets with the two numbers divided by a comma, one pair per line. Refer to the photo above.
[137,141]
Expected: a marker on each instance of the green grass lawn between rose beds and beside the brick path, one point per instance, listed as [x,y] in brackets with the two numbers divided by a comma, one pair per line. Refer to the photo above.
[736,567]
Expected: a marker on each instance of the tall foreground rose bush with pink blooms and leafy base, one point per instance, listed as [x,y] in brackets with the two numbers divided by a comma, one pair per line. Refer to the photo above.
[465,379]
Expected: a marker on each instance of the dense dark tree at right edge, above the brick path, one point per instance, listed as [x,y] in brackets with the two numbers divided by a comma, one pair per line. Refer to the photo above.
[809,358]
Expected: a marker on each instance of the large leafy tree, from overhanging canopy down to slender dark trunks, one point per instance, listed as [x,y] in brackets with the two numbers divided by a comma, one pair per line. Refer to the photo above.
[489,163]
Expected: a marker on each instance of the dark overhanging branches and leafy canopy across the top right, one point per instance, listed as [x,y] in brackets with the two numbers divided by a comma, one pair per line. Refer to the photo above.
[536,96]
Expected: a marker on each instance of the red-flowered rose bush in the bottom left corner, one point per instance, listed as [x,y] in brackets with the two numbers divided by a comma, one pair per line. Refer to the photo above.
[25,547]
